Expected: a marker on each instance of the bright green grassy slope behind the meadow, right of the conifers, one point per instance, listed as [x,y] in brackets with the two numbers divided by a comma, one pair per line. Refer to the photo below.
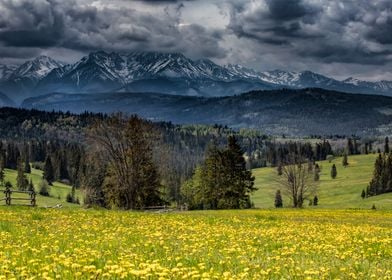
[342,192]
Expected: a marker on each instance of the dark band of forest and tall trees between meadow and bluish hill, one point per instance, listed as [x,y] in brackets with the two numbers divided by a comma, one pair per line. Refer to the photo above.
[127,162]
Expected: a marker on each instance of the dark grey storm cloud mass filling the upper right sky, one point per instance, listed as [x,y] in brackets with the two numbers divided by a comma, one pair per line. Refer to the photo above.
[328,31]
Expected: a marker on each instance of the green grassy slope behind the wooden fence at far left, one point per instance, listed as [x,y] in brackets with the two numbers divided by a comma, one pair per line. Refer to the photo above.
[58,191]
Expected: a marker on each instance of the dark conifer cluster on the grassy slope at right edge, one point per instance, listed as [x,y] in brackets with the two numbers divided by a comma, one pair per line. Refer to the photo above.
[382,177]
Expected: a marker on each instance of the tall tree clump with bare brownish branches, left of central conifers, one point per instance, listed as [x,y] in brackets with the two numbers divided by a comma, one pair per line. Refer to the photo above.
[132,180]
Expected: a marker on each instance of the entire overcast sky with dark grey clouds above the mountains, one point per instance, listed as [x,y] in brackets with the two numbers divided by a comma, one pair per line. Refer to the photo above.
[339,38]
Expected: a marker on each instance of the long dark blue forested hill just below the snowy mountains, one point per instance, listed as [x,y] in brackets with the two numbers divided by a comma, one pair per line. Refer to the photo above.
[276,112]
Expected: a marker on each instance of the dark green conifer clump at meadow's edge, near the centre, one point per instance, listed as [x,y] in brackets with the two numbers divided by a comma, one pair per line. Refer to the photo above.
[223,181]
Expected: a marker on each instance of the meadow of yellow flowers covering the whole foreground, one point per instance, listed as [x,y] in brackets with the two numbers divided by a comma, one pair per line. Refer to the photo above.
[251,244]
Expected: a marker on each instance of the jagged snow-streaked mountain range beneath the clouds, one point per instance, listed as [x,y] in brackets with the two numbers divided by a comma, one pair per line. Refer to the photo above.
[170,73]
